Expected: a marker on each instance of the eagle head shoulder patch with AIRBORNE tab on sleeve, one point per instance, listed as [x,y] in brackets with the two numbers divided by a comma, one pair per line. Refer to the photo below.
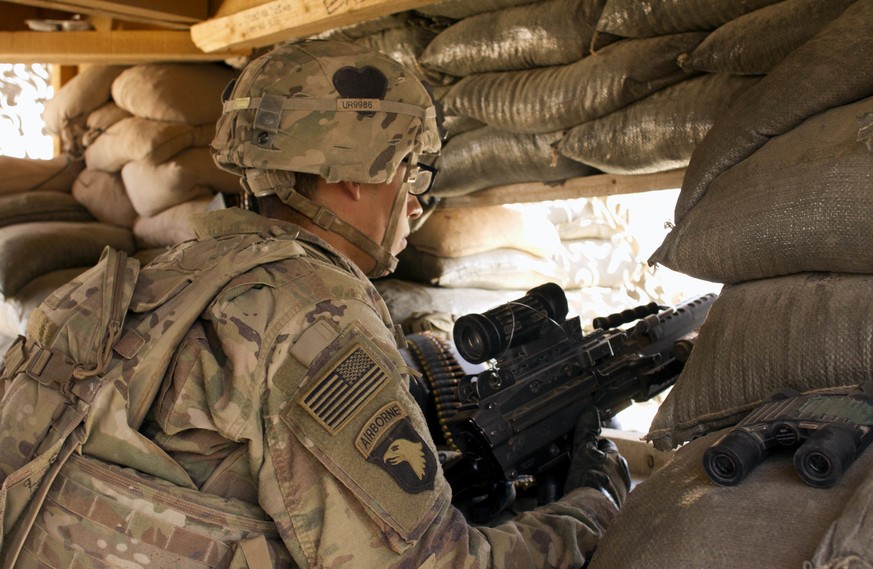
[389,440]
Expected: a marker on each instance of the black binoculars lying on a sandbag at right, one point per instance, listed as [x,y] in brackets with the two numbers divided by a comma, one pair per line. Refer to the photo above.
[831,429]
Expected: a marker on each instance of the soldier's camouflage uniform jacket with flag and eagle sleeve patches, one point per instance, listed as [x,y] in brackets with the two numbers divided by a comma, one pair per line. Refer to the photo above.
[290,392]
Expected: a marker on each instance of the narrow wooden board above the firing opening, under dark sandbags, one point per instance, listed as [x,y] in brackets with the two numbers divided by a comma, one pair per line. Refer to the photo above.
[585,187]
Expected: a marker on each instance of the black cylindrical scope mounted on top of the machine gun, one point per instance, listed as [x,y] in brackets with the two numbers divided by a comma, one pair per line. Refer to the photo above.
[480,337]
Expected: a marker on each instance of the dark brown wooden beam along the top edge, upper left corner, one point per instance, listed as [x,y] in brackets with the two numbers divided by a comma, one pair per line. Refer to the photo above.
[170,13]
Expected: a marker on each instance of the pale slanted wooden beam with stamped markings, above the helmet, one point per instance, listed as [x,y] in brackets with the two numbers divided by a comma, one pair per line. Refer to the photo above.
[266,24]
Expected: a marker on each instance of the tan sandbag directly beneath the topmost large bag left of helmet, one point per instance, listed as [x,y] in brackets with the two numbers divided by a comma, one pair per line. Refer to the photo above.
[136,138]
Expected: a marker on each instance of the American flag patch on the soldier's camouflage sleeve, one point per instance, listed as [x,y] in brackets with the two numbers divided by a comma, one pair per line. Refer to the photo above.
[341,394]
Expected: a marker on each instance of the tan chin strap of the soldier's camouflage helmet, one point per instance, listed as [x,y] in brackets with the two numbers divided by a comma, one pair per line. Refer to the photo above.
[262,183]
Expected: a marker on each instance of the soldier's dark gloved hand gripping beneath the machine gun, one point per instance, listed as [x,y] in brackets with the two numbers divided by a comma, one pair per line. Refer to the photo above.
[595,462]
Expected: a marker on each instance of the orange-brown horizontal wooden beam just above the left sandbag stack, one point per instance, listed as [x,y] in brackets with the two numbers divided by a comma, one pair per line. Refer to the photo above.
[113,47]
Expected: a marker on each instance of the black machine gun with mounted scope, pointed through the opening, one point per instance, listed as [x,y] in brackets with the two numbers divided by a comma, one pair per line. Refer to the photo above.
[514,421]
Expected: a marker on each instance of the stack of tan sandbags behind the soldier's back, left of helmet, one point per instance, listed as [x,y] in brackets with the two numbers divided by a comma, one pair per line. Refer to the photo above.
[135,163]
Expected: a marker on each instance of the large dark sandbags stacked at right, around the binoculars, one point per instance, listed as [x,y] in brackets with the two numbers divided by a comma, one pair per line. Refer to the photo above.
[776,205]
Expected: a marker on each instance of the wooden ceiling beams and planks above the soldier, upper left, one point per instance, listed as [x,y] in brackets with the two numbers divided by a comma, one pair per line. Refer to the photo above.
[138,31]
